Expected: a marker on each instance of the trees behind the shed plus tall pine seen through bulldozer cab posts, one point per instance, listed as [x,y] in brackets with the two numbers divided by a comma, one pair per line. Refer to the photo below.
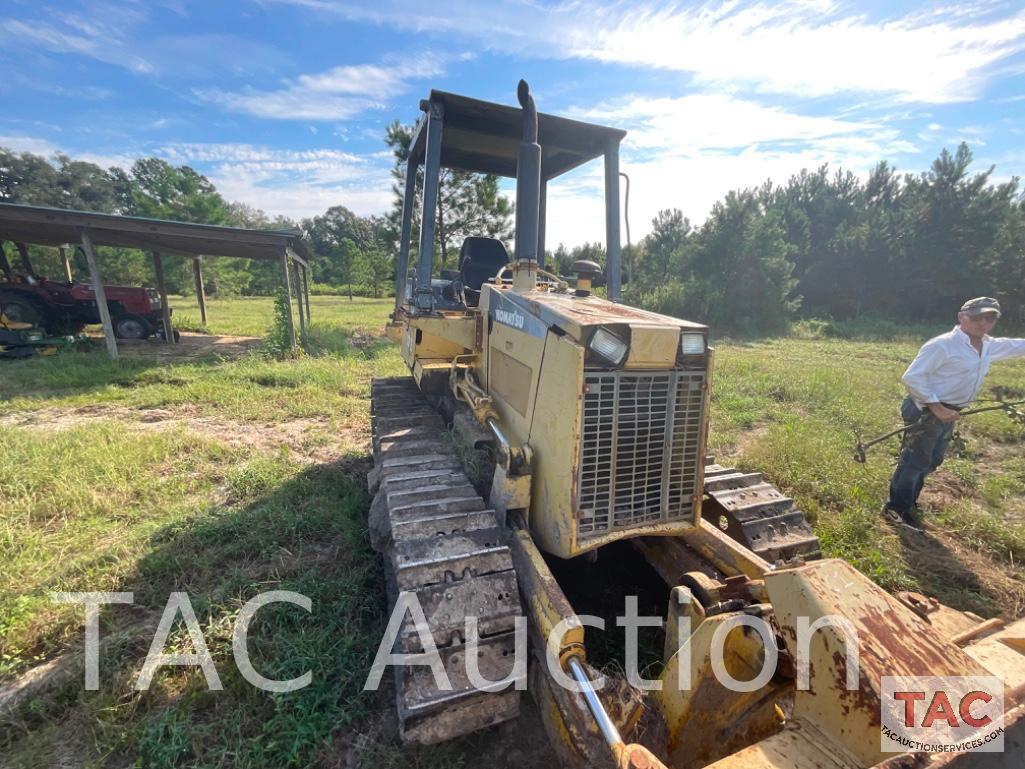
[353,255]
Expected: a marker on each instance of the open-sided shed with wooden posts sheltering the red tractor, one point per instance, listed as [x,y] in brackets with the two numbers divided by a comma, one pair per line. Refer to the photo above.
[58,227]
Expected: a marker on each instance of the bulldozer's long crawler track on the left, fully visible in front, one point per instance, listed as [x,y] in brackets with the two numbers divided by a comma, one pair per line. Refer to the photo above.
[441,543]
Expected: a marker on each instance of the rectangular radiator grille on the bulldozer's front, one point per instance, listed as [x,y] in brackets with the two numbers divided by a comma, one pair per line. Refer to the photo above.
[639,458]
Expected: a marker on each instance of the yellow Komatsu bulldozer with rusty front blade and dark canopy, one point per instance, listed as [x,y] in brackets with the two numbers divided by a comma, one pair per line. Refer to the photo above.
[596,415]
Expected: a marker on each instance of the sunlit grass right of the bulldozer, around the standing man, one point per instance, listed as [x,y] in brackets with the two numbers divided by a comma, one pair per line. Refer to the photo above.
[807,398]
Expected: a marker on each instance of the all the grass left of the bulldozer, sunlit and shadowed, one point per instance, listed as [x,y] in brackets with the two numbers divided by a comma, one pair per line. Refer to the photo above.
[104,505]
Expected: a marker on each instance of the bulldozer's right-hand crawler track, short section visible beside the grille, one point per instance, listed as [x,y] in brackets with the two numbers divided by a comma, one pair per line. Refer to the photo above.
[758,515]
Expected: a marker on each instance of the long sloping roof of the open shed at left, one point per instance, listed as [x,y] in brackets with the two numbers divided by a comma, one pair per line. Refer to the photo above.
[58,226]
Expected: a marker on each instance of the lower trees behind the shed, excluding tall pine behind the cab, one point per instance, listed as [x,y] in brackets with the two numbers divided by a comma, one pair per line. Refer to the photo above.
[352,253]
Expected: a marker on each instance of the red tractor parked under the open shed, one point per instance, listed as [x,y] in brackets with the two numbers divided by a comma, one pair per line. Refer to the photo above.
[64,308]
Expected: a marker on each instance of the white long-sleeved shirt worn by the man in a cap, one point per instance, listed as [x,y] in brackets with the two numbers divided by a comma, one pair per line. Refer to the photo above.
[950,371]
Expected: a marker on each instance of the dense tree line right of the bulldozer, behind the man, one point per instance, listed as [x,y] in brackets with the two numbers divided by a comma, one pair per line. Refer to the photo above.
[908,249]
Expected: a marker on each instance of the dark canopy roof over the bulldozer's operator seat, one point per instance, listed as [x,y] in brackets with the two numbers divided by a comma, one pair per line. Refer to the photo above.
[484,137]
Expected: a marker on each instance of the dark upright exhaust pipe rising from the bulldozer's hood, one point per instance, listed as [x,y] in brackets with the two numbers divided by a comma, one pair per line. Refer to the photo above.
[528,195]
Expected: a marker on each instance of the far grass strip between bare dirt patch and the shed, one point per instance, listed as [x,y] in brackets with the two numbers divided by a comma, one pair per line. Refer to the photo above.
[332,384]
